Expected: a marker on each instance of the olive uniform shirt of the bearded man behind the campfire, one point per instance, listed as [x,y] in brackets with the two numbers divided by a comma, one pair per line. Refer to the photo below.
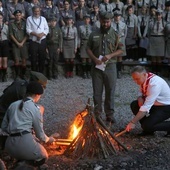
[103,44]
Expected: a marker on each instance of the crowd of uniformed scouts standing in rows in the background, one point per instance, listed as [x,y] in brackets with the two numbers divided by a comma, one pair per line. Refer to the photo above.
[47,30]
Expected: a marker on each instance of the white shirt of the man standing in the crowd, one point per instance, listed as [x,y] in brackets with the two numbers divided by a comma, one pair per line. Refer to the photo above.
[37,25]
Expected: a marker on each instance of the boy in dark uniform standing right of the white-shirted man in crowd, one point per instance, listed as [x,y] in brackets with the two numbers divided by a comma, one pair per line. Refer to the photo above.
[54,45]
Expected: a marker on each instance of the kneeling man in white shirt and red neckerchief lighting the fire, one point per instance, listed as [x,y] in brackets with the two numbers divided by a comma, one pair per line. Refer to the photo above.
[151,109]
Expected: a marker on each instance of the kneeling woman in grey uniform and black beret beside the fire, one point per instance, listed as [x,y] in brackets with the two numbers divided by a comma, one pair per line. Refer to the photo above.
[21,118]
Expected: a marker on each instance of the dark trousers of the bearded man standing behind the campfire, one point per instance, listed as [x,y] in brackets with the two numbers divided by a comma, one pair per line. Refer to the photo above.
[100,80]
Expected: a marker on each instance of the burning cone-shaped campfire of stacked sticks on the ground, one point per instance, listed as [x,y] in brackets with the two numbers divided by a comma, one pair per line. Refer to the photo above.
[90,137]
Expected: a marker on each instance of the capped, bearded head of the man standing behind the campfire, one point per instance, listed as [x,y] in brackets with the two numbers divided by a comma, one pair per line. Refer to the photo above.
[105,21]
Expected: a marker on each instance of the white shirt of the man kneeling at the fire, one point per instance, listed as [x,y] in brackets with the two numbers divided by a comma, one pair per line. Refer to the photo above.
[158,93]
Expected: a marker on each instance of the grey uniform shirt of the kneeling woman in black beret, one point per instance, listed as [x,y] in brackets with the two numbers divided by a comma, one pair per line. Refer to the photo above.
[29,118]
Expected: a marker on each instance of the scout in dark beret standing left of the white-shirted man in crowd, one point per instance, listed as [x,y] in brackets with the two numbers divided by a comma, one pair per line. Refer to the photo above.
[17,32]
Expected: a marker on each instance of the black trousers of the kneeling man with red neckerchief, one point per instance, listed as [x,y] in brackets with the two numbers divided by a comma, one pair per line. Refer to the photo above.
[156,119]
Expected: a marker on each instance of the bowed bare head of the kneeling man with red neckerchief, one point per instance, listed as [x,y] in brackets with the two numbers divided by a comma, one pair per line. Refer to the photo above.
[139,75]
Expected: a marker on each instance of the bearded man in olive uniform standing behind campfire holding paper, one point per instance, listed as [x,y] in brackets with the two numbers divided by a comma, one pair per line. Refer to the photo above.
[103,48]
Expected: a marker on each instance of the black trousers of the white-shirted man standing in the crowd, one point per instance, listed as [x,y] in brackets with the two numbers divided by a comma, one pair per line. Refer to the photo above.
[38,55]
